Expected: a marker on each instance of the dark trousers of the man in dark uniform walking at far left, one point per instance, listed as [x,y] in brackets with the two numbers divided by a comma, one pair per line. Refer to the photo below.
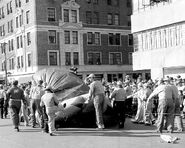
[14,110]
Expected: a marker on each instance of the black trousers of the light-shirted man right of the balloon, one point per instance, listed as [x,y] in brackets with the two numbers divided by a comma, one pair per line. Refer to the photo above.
[119,107]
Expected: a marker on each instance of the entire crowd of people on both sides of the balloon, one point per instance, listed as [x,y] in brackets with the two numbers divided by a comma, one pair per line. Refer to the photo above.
[160,102]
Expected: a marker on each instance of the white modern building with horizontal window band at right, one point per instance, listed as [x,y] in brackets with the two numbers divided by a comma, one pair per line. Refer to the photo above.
[159,39]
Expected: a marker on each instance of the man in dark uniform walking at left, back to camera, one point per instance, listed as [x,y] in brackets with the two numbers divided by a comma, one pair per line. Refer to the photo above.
[15,95]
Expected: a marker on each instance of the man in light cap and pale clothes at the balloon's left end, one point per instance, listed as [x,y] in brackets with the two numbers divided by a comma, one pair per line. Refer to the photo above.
[50,101]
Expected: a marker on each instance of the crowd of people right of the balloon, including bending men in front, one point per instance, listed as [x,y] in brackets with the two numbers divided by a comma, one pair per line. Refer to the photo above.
[161,102]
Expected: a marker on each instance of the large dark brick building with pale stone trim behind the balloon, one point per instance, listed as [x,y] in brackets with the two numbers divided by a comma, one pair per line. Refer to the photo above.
[37,34]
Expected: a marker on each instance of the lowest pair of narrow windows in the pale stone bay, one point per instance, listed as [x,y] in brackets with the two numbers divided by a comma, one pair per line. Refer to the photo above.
[71,58]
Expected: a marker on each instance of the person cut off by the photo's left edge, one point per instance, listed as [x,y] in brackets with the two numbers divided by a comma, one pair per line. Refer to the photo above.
[2,100]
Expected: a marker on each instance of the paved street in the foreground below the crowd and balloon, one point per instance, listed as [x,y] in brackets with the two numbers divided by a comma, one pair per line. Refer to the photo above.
[134,135]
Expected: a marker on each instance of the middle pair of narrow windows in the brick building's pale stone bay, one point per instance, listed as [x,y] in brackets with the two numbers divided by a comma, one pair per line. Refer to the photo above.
[70,37]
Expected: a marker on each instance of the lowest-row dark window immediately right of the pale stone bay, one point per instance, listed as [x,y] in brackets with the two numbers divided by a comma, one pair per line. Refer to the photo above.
[94,58]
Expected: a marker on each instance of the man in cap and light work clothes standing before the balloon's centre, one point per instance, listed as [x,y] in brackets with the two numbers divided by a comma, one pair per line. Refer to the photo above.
[96,93]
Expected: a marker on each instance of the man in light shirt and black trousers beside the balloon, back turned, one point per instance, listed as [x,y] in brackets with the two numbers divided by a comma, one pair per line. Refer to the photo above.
[119,96]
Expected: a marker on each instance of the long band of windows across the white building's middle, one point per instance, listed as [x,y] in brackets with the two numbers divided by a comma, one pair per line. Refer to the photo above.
[159,38]
